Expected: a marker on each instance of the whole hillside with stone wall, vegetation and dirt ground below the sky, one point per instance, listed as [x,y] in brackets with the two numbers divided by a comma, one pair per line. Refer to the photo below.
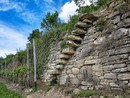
[88,57]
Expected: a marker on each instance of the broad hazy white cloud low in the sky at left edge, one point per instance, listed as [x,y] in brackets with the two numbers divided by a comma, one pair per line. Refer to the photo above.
[10,40]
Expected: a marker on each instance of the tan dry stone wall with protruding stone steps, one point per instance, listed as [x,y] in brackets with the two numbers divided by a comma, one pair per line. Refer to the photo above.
[98,52]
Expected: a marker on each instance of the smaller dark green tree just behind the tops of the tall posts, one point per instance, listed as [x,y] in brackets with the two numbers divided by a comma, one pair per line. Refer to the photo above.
[36,34]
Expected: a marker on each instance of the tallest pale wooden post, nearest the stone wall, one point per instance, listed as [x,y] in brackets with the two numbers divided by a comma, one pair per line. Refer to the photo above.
[34,57]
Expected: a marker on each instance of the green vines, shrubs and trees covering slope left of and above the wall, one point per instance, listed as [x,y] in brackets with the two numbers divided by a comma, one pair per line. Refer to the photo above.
[52,31]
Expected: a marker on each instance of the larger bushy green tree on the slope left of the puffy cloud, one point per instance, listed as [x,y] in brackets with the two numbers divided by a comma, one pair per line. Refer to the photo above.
[51,21]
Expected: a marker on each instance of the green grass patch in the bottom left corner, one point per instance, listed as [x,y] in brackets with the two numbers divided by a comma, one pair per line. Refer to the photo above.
[6,93]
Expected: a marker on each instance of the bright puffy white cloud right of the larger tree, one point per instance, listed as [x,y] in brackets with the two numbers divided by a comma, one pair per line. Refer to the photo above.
[68,9]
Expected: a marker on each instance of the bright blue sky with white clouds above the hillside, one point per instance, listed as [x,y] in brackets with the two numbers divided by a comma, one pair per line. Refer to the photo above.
[19,17]
